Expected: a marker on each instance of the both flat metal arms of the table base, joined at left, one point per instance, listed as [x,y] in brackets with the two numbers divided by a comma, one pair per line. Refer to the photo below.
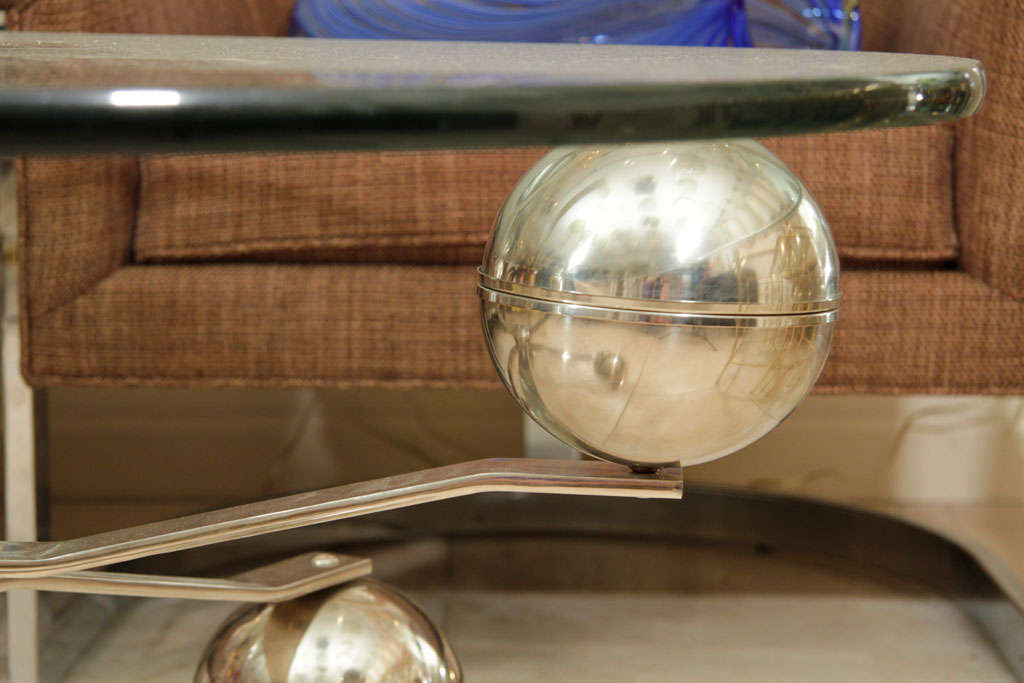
[60,566]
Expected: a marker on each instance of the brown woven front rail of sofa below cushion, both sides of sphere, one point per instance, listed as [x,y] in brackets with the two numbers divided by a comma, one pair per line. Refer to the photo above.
[419,326]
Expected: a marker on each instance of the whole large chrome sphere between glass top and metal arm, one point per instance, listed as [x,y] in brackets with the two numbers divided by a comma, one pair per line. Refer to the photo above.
[660,305]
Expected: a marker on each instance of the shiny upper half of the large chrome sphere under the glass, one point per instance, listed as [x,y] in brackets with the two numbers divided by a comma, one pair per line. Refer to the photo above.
[710,228]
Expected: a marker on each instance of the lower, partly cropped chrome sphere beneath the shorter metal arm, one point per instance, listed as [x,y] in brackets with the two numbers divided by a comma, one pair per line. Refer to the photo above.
[363,632]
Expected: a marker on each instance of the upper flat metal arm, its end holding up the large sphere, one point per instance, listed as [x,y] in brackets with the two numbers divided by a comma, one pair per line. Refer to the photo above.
[35,561]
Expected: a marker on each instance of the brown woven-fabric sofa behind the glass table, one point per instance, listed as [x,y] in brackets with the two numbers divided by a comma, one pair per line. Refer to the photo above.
[359,269]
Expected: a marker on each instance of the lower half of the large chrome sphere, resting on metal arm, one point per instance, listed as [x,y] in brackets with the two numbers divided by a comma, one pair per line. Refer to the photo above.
[654,391]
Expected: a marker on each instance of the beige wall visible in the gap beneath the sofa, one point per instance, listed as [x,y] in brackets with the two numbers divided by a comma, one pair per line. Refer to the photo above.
[127,456]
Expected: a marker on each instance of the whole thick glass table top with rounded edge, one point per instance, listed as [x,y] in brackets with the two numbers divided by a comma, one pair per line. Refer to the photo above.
[107,94]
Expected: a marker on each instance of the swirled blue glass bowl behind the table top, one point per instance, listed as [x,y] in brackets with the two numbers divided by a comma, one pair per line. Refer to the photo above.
[814,24]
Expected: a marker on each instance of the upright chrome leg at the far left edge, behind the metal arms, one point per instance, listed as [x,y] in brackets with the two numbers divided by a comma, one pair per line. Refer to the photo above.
[20,449]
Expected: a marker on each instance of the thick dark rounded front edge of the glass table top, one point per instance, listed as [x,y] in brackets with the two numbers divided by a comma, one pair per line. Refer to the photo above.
[197,120]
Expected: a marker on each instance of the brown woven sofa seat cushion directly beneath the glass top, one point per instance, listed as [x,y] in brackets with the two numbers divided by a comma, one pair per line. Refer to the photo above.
[886,194]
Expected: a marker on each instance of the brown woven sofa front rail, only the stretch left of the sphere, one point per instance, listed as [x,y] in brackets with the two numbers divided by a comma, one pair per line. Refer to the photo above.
[279,325]
